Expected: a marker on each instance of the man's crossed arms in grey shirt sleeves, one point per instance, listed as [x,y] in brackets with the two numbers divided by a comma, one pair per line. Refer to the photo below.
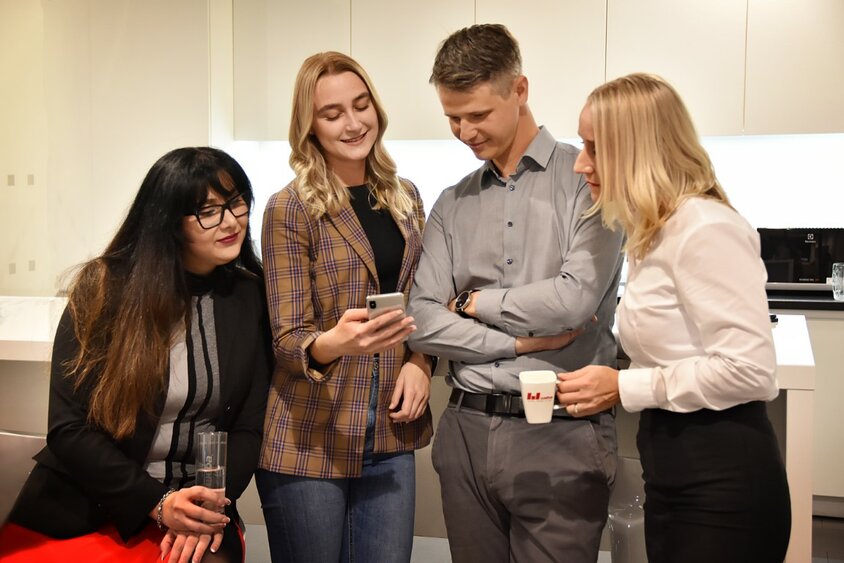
[555,309]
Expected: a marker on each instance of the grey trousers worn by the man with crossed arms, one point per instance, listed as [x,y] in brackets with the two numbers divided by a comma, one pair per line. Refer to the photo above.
[519,492]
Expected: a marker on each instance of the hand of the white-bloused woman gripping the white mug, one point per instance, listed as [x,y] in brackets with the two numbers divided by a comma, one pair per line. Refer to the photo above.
[588,390]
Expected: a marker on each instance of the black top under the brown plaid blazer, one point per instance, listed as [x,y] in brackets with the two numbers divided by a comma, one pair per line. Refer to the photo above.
[384,236]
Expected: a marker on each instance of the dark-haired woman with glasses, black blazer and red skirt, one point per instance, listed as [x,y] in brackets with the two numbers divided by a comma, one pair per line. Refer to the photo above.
[165,335]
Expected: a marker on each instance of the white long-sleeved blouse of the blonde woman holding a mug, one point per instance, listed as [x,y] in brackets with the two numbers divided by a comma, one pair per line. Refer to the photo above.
[694,316]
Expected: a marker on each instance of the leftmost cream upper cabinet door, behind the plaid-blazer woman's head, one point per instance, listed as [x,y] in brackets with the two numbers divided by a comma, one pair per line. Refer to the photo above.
[271,39]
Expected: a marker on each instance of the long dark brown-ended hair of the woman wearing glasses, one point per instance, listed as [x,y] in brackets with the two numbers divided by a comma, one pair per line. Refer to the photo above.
[126,303]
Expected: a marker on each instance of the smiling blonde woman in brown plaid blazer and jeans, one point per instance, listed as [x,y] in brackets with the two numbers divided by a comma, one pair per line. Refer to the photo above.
[349,402]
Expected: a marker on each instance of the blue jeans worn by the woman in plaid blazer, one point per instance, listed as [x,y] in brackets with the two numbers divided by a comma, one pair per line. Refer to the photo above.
[366,519]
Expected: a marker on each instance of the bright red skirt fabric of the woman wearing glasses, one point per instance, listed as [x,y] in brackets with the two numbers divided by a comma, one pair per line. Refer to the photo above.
[20,545]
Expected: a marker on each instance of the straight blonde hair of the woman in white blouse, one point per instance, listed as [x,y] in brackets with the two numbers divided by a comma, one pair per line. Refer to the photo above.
[648,157]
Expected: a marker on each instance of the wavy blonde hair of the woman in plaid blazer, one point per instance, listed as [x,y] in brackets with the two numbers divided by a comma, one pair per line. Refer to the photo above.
[319,187]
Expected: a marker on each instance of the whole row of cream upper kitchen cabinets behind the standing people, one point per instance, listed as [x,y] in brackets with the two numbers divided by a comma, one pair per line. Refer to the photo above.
[742,67]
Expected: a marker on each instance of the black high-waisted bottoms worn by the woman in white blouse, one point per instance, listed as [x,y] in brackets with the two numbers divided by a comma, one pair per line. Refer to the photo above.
[715,486]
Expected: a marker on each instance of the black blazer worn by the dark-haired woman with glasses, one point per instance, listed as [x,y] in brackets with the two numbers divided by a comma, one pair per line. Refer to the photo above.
[84,478]
